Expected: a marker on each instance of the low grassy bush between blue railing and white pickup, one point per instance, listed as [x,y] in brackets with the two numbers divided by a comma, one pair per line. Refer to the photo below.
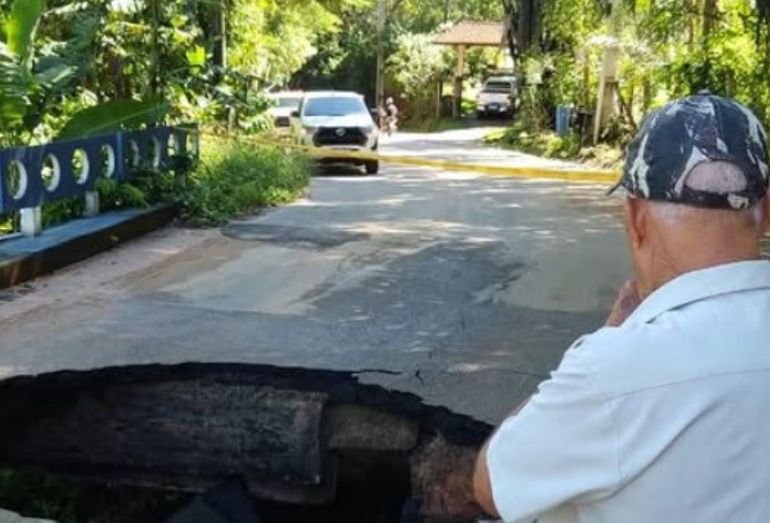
[236,177]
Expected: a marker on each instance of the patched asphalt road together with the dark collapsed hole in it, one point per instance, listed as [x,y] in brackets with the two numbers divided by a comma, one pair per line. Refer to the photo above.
[384,323]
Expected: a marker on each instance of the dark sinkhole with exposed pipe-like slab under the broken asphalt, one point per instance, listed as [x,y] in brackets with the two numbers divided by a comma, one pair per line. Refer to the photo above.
[294,436]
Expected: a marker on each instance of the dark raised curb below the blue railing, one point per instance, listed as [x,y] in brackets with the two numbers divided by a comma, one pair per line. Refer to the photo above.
[22,259]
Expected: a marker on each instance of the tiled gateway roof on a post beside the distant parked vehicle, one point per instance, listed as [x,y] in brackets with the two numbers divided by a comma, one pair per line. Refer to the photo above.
[462,36]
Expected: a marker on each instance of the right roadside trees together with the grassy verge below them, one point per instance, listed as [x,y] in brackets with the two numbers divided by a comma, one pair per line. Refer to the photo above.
[661,50]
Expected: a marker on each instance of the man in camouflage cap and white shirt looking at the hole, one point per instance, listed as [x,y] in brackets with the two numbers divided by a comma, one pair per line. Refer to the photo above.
[663,415]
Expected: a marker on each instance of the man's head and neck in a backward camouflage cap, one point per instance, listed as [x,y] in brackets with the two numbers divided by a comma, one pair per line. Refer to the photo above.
[696,176]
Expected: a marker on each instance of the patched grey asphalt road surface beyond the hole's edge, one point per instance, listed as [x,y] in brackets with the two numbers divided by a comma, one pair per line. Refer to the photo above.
[462,288]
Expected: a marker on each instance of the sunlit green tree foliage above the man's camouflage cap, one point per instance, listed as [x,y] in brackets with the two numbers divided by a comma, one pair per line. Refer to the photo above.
[669,48]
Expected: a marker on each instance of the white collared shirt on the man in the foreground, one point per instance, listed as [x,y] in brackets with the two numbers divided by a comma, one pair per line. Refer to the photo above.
[663,419]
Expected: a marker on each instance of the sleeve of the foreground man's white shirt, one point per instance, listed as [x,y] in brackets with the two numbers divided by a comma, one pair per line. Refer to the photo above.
[561,448]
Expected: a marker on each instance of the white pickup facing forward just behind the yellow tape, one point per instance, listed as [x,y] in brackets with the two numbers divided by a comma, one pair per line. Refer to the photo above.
[336,120]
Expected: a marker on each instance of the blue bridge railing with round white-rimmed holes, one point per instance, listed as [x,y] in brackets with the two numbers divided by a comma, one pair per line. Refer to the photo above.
[34,175]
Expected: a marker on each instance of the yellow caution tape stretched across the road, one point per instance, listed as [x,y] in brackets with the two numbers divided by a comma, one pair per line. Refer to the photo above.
[549,173]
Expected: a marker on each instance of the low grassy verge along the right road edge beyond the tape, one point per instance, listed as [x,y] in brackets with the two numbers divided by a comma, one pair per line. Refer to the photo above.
[548,144]
